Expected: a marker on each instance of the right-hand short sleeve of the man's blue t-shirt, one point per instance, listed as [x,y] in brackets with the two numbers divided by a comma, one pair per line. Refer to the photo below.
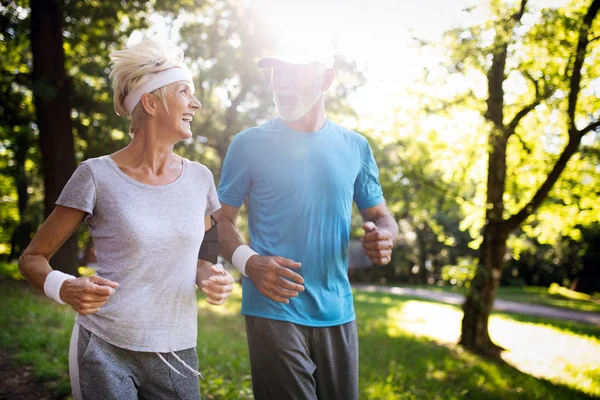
[367,190]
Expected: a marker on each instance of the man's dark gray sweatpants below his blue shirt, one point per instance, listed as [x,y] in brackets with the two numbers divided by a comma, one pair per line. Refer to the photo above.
[290,361]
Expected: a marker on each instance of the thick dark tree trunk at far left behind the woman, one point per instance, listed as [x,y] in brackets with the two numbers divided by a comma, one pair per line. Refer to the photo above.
[52,99]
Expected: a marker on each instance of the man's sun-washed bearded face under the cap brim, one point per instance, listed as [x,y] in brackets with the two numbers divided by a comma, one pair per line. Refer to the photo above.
[296,88]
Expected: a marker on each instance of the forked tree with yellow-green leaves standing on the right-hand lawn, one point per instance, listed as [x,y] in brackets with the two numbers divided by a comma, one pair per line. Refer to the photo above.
[547,85]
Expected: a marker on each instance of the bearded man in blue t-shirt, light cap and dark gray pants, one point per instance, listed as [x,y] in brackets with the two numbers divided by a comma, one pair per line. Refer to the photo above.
[300,174]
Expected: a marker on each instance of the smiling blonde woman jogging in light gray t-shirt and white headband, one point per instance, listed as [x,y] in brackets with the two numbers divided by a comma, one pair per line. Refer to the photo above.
[147,209]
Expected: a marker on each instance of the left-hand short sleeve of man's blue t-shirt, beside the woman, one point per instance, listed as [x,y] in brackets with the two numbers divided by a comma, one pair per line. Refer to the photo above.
[234,184]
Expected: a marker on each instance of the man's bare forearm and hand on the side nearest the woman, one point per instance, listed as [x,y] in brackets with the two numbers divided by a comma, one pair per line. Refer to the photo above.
[270,274]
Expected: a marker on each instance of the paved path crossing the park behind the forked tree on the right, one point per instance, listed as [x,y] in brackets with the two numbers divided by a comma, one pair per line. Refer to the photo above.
[586,317]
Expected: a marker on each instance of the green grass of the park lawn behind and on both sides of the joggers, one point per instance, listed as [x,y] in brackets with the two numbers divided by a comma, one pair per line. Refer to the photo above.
[407,350]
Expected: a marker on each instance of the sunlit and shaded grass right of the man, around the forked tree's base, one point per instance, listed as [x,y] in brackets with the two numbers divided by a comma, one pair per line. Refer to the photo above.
[416,339]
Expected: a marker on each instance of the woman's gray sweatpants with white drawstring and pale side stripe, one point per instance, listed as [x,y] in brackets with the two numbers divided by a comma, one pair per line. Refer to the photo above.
[99,370]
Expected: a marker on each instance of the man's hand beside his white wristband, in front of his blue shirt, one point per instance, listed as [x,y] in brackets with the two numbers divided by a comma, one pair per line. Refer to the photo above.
[273,279]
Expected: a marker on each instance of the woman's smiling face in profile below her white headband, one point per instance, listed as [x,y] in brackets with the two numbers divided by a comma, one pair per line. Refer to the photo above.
[181,106]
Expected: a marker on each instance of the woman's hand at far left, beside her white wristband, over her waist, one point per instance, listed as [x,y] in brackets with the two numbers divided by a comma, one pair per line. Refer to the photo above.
[87,295]
